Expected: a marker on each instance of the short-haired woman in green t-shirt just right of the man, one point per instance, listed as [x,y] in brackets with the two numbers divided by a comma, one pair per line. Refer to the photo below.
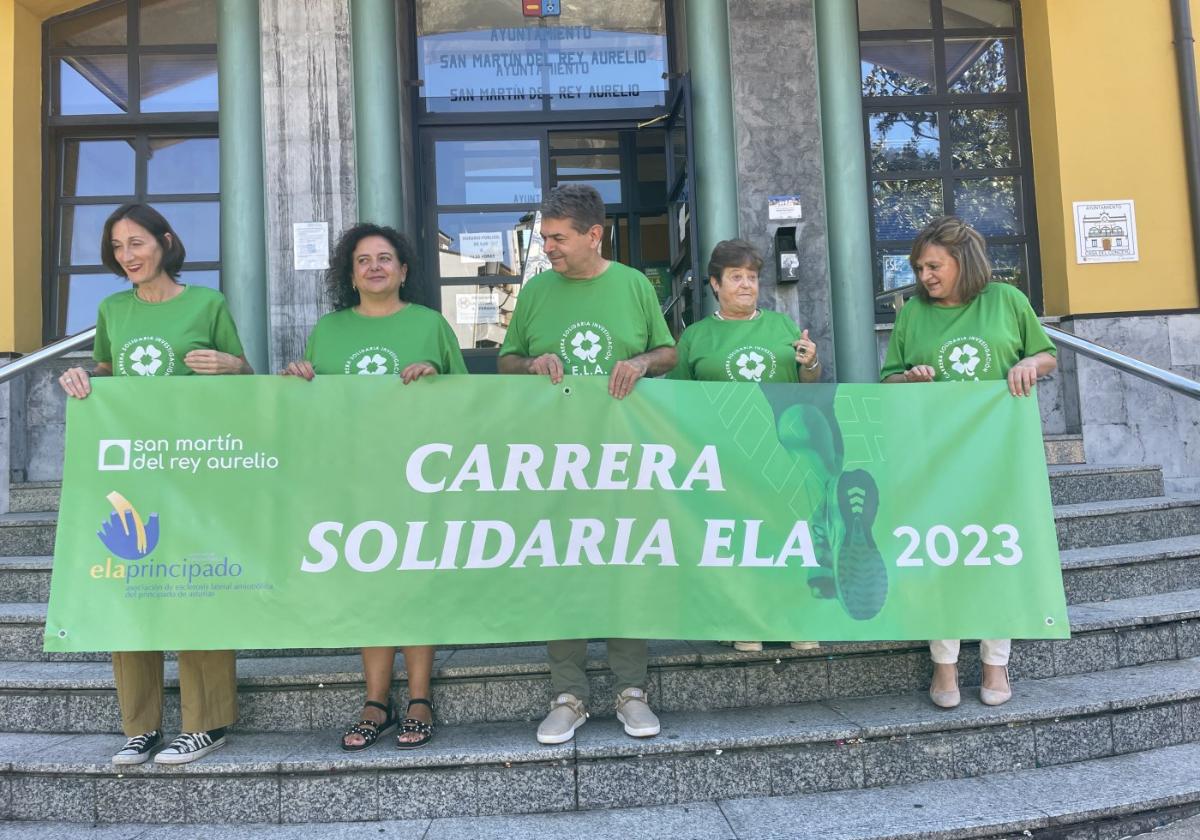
[741,343]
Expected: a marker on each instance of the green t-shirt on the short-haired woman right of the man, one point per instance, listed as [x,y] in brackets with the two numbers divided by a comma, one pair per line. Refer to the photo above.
[759,350]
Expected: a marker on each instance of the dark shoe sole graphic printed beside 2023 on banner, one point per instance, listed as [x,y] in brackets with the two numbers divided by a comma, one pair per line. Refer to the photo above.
[860,573]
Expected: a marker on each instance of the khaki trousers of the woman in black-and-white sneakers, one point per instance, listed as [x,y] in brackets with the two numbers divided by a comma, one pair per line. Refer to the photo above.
[208,689]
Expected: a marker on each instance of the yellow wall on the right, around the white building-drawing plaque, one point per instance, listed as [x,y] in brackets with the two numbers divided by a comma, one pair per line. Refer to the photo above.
[1105,116]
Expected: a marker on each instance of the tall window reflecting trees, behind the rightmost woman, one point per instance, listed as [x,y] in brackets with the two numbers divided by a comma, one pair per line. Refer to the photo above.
[947,133]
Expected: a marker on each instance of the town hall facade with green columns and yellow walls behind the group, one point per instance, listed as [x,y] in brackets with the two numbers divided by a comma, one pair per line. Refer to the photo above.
[1055,127]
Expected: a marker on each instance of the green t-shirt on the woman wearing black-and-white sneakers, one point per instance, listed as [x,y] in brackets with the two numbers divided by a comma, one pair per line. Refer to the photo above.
[151,340]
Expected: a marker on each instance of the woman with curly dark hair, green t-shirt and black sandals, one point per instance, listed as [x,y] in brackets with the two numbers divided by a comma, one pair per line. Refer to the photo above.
[375,331]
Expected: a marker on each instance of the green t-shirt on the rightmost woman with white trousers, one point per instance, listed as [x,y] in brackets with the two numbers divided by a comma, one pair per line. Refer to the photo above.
[975,343]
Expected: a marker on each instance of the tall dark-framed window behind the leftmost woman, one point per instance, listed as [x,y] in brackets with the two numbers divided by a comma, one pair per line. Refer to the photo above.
[131,116]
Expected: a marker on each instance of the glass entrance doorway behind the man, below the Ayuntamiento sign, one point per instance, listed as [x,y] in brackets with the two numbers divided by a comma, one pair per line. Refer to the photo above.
[481,200]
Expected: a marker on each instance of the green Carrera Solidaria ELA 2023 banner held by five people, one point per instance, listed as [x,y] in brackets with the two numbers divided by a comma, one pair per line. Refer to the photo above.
[273,513]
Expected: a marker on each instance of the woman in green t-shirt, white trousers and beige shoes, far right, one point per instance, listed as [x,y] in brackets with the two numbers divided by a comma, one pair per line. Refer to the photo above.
[961,327]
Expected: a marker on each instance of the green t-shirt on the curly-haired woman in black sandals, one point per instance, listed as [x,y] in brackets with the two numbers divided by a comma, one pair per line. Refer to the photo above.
[347,343]
